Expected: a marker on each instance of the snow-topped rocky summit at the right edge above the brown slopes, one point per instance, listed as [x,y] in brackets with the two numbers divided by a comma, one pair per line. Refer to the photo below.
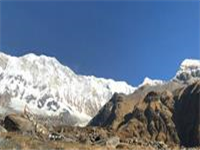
[189,71]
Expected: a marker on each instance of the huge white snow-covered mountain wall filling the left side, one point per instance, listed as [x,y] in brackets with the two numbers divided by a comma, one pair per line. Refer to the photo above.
[48,87]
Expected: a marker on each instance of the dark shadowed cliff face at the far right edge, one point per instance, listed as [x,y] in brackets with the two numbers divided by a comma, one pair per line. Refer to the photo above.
[187,115]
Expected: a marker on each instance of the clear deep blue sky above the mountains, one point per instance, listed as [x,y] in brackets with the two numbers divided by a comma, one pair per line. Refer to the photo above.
[123,40]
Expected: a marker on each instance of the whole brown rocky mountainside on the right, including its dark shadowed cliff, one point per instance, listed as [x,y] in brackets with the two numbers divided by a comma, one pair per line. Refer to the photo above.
[162,114]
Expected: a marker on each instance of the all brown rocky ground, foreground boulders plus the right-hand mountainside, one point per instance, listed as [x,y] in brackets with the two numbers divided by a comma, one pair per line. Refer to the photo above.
[153,117]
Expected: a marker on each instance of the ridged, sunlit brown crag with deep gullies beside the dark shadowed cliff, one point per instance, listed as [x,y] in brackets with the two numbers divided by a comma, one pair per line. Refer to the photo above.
[151,119]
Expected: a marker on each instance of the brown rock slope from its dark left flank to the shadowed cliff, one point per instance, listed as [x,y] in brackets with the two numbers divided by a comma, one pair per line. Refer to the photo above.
[148,117]
